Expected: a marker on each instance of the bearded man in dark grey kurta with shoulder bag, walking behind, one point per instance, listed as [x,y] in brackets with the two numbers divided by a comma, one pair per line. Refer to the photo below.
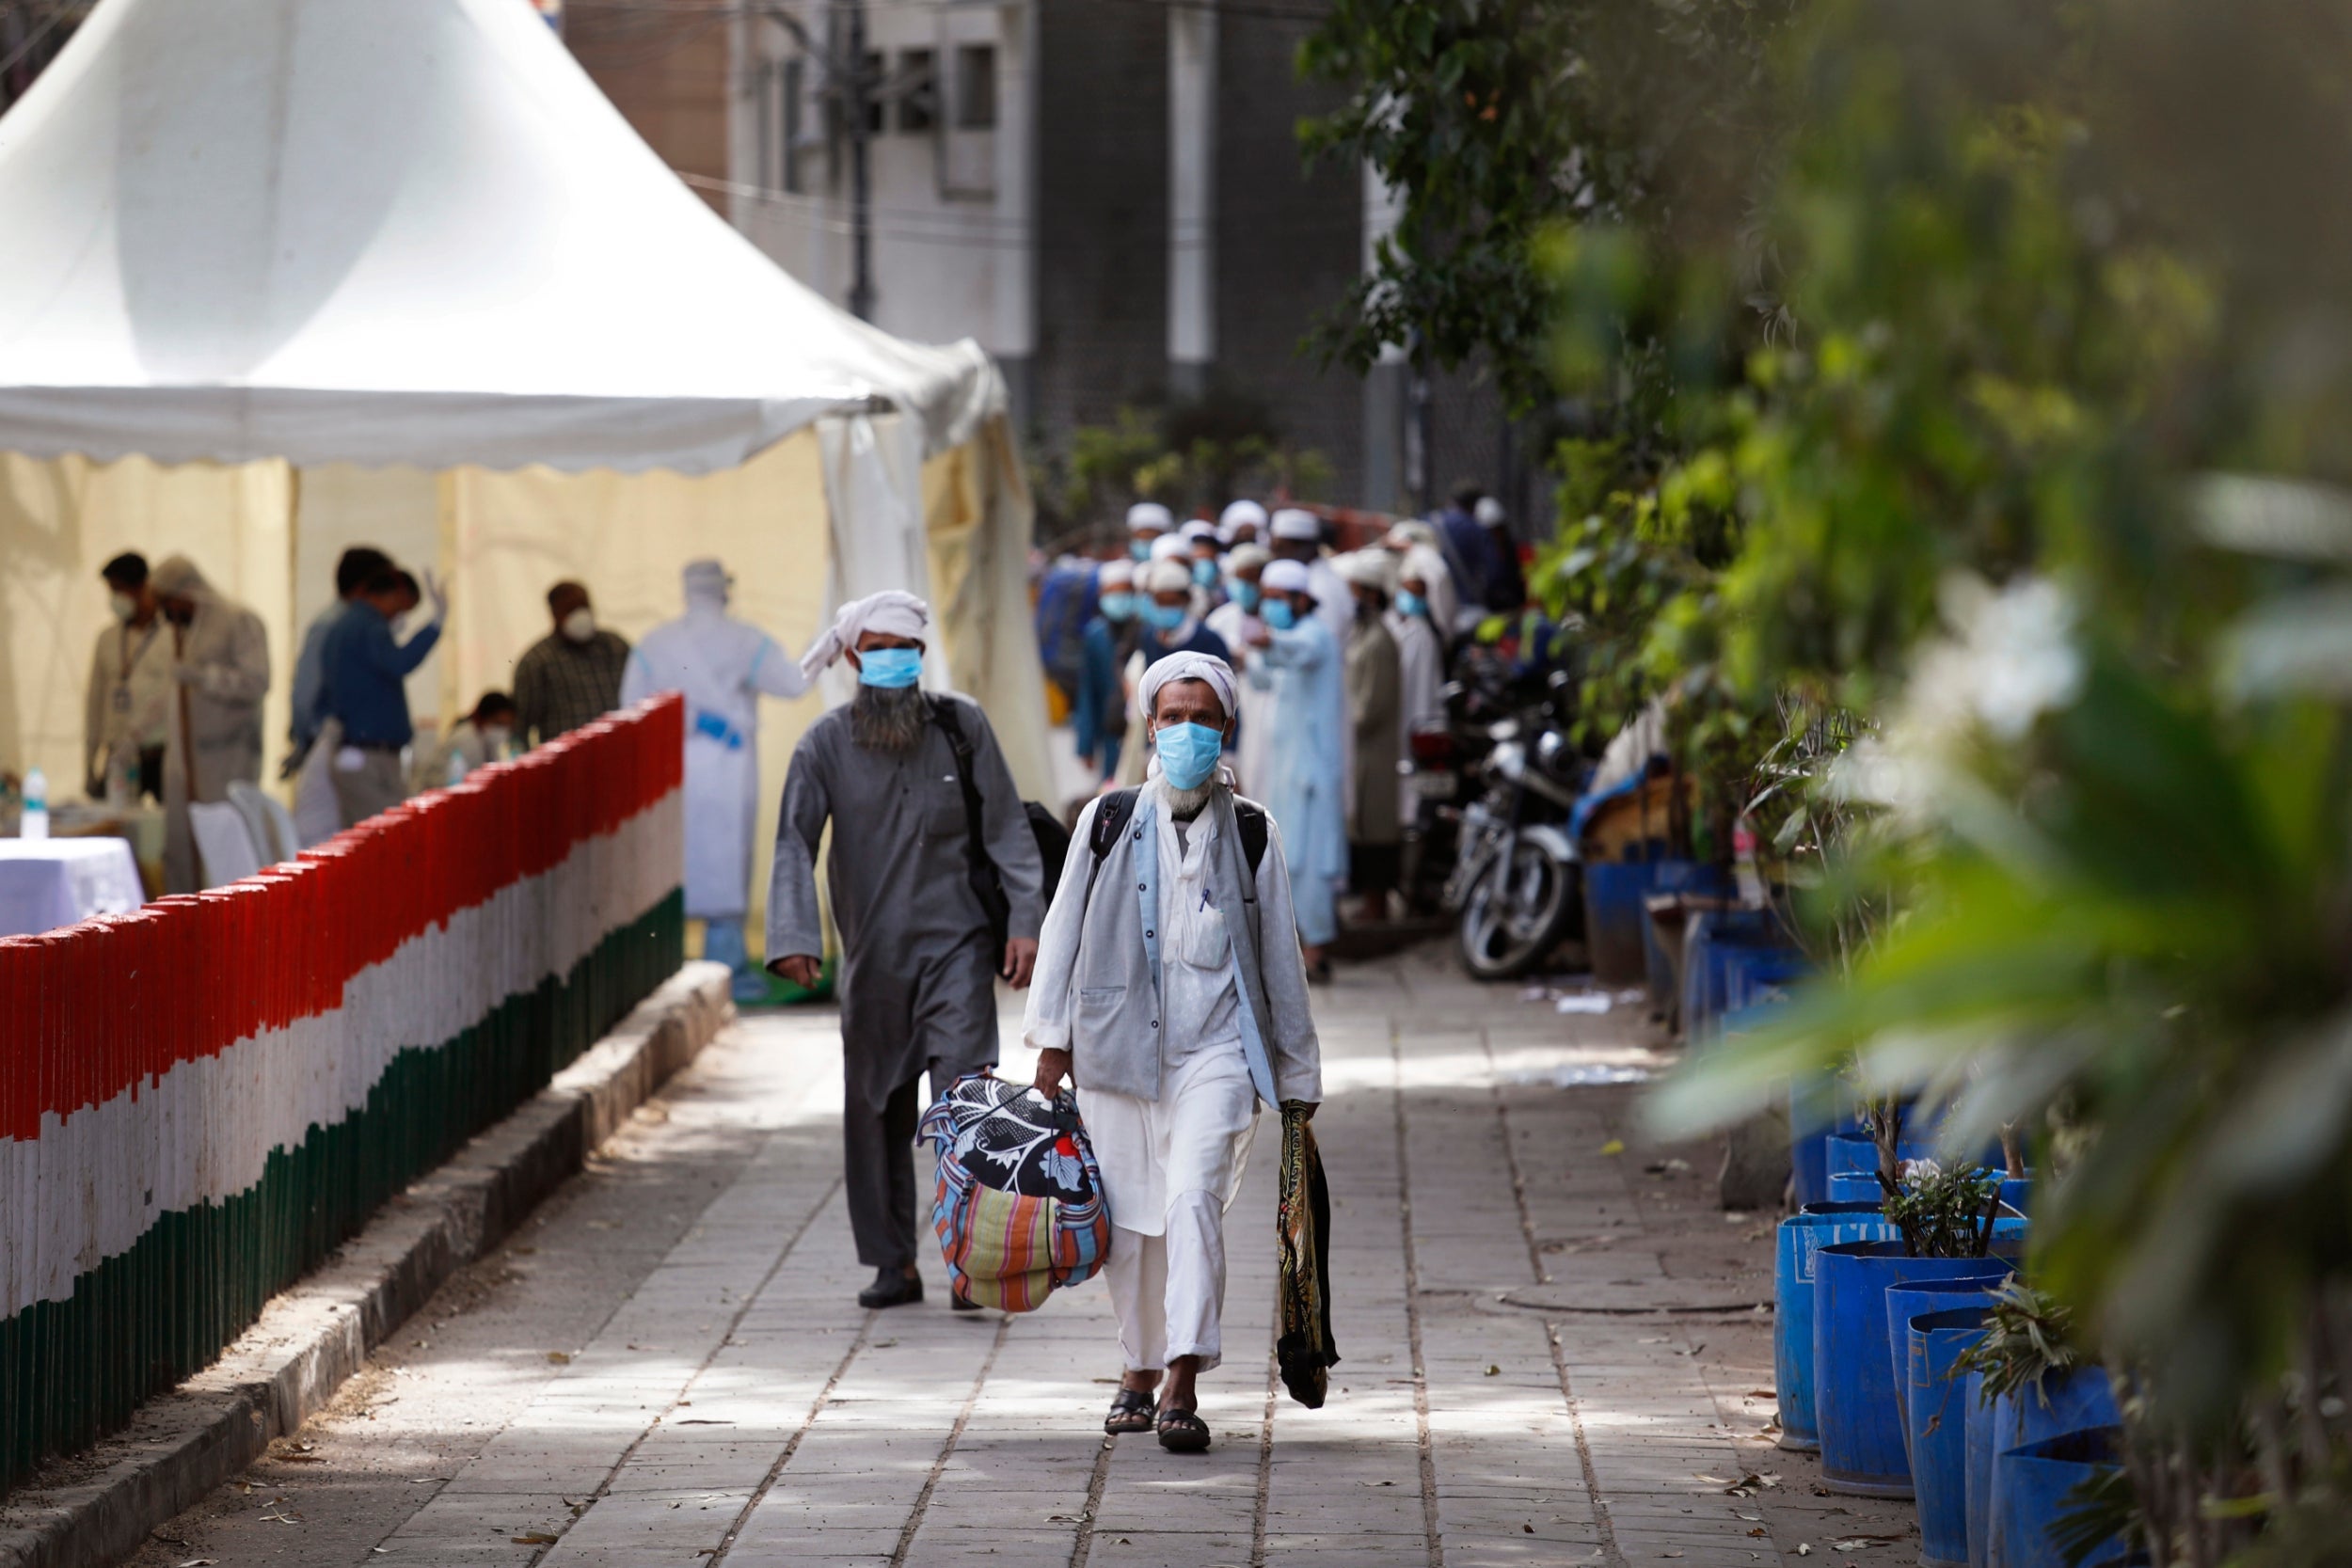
[918,958]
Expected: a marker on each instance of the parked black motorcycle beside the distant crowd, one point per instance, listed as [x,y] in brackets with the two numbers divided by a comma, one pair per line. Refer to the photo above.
[1518,880]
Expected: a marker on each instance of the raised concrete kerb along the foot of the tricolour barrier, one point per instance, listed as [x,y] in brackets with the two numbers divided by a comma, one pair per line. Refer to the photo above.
[312,1339]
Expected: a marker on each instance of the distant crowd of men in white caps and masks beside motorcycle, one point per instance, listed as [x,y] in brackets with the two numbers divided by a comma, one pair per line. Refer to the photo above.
[1339,657]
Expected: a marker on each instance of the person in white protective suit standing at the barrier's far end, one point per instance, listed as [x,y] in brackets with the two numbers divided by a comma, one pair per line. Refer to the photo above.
[723,666]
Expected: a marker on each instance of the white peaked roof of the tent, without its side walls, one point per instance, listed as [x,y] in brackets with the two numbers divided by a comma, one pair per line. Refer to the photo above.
[396,232]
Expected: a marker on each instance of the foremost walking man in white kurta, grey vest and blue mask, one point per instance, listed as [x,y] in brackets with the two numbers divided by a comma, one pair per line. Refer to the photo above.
[1177,1021]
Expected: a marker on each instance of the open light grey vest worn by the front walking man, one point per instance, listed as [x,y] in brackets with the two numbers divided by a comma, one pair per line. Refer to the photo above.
[1116,1028]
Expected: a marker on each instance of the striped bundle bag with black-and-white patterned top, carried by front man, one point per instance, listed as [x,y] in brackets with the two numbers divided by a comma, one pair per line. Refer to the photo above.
[1020,1207]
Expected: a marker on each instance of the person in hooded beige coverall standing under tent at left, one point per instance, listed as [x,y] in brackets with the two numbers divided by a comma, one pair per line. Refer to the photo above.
[222,671]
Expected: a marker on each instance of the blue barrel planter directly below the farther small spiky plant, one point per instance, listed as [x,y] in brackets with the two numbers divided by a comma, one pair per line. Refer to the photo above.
[1855,1391]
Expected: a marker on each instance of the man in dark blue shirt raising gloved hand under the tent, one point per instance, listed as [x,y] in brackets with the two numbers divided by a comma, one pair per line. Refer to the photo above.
[366,692]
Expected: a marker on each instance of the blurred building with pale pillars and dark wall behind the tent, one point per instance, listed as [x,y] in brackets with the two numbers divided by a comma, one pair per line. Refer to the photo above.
[1107,194]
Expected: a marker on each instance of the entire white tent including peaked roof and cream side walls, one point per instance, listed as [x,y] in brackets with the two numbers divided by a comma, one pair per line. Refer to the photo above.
[279,276]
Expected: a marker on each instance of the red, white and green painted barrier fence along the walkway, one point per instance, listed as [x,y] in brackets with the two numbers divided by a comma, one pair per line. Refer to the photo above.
[203,1099]
